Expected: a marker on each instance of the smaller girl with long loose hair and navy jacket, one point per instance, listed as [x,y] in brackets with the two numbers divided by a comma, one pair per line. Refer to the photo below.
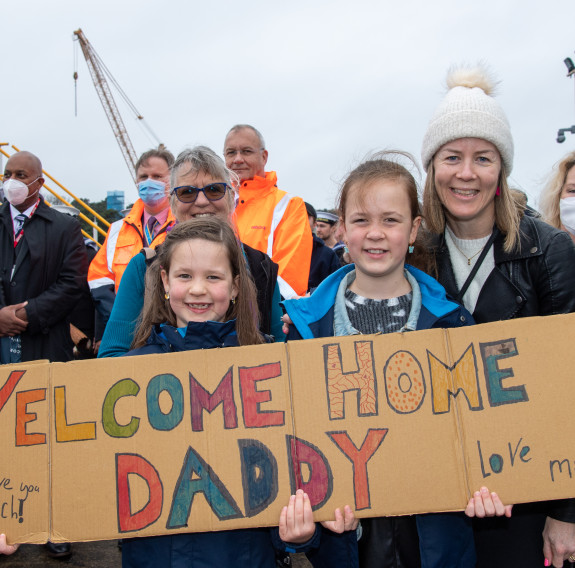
[199,296]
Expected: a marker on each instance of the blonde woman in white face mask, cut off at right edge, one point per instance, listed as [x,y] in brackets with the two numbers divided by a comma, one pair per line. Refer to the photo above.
[558,198]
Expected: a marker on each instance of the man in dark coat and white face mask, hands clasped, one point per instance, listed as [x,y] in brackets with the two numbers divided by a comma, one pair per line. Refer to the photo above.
[43,272]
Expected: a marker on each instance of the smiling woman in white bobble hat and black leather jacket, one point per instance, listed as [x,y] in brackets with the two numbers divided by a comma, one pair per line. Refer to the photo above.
[501,264]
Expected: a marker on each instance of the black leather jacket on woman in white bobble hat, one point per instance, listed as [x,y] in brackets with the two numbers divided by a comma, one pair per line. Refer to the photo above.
[537,279]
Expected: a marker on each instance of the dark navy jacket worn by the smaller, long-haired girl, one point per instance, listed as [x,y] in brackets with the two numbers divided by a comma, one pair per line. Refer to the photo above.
[246,547]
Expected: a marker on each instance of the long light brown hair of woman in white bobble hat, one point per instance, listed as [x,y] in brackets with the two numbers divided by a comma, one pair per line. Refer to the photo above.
[508,209]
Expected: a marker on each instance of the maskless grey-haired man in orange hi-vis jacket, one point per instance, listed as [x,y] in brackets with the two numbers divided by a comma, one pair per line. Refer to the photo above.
[269,219]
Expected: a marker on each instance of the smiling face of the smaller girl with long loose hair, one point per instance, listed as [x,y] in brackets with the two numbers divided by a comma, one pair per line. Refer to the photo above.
[199,281]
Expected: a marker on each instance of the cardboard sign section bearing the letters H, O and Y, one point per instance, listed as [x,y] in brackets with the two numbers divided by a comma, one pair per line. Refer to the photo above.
[414,453]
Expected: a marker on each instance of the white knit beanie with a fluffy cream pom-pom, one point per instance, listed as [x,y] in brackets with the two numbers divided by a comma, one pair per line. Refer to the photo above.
[469,111]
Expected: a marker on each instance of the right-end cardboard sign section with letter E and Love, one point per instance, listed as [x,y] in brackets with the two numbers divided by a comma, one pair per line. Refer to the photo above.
[521,442]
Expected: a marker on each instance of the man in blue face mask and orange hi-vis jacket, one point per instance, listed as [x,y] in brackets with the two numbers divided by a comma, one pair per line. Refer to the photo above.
[144,226]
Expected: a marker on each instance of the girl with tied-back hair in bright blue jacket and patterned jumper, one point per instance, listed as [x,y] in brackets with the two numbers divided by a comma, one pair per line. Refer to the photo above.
[380,293]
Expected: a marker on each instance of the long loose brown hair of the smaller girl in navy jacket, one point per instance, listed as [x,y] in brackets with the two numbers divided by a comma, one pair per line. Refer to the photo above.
[157,309]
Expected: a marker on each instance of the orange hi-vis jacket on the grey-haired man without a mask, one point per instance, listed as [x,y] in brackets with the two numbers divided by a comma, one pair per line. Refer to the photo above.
[272,221]
